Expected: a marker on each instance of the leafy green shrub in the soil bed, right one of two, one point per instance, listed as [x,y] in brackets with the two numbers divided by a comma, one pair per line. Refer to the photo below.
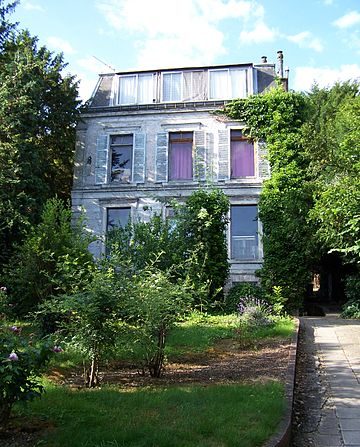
[155,304]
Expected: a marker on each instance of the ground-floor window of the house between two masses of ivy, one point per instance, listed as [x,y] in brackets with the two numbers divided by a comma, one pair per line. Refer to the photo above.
[244,232]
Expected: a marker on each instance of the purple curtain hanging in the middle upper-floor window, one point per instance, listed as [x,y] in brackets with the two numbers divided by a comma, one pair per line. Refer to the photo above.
[180,167]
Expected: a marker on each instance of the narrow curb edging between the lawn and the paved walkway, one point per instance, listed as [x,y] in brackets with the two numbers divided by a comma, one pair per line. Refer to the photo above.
[282,437]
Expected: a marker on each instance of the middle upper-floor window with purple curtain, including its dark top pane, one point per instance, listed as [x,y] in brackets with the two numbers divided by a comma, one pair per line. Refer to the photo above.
[180,156]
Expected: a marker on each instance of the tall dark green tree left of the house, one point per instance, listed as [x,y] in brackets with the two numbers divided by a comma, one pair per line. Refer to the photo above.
[38,113]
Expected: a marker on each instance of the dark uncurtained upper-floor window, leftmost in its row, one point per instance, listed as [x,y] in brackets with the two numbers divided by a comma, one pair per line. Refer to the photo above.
[121,149]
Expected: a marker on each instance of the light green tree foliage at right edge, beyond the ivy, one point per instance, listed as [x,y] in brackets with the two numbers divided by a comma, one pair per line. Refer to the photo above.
[335,130]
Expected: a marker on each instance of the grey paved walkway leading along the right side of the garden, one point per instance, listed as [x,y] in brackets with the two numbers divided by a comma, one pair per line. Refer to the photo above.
[337,347]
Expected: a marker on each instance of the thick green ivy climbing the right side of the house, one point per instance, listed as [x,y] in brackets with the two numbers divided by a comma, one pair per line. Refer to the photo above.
[277,117]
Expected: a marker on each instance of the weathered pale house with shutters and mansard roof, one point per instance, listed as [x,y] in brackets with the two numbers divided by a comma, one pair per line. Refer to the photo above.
[153,134]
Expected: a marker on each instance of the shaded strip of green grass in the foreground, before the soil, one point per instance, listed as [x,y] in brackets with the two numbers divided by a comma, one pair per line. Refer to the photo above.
[208,416]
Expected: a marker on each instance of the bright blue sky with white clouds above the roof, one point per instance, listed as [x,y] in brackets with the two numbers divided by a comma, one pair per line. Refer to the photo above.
[320,39]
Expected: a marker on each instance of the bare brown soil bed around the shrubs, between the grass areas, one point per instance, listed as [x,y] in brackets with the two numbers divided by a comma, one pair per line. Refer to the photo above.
[227,362]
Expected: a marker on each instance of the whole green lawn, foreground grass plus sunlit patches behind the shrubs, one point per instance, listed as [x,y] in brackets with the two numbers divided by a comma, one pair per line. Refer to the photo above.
[209,413]
